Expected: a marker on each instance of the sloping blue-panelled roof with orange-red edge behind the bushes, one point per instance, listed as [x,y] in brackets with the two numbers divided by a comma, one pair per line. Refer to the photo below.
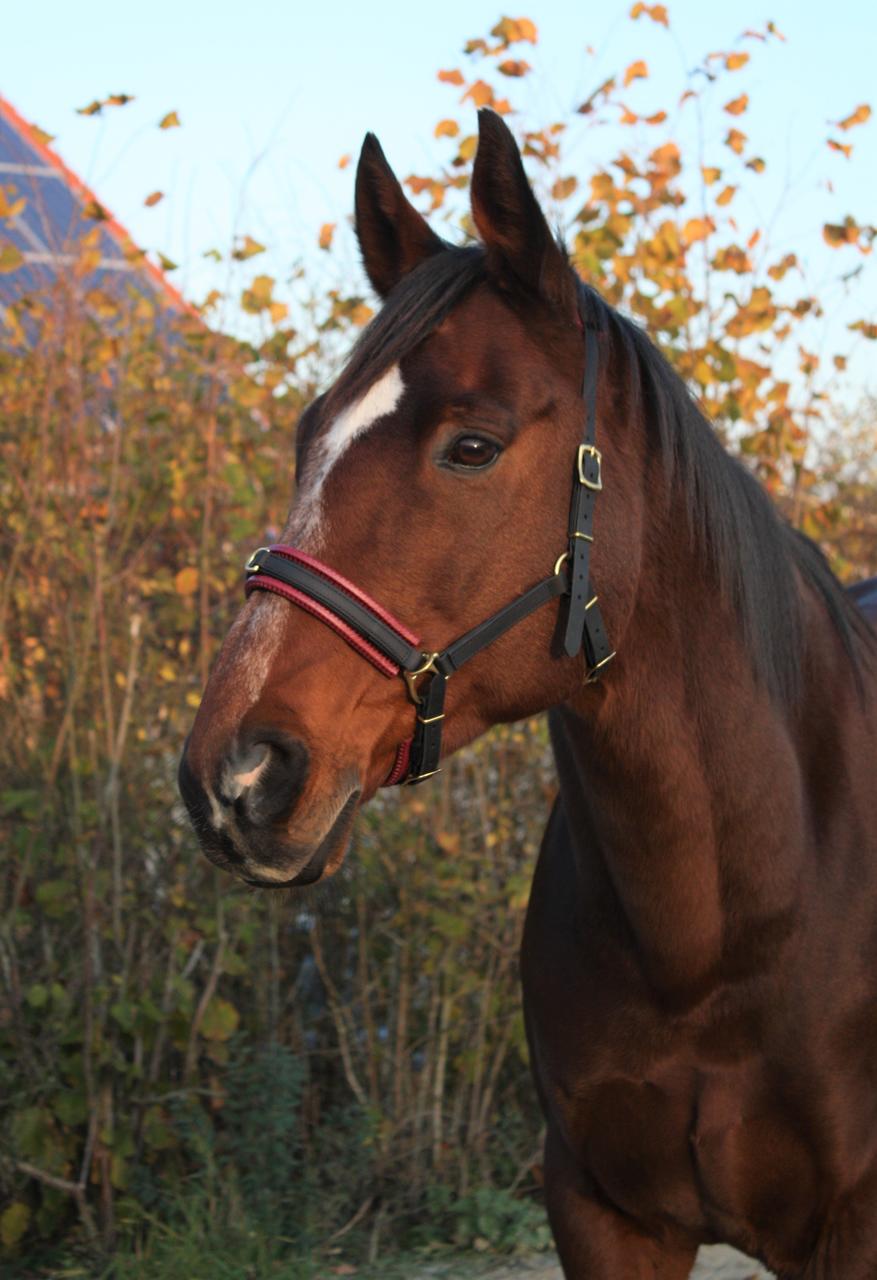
[54,220]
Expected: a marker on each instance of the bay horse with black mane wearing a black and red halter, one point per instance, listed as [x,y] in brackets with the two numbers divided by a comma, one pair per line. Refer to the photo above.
[700,961]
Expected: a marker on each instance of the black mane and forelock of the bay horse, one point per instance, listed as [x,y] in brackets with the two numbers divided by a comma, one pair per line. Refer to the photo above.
[755,554]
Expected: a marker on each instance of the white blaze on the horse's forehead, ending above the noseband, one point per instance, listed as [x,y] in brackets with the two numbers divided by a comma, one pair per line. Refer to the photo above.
[305,527]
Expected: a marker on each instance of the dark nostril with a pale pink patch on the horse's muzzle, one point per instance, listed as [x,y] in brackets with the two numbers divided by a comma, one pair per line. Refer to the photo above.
[264,779]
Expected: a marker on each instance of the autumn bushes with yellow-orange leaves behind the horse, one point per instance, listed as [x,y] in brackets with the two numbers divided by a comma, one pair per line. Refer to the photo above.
[197,1080]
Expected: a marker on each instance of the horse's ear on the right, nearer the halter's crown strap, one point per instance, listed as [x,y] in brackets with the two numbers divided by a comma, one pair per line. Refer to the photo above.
[510,222]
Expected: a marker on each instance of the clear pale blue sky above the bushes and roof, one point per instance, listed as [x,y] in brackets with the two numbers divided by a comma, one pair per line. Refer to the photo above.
[272,94]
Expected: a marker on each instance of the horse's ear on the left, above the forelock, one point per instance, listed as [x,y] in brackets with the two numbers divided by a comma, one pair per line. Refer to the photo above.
[394,236]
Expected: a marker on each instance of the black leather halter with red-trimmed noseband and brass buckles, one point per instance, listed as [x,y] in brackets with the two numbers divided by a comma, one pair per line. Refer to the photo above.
[385,642]
